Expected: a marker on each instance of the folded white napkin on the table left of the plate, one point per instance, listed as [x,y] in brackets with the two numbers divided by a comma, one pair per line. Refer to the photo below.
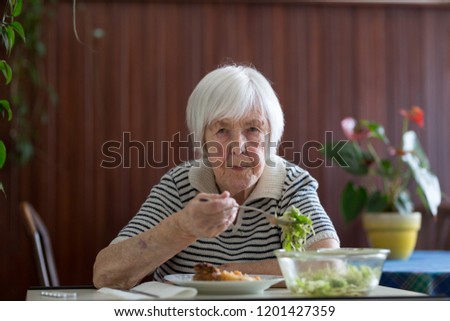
[152,289]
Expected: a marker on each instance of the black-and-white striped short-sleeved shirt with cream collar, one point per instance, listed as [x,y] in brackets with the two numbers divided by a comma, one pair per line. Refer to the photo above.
[251,238]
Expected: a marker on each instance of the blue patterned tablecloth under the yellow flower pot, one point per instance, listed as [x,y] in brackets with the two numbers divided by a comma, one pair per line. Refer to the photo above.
[425,271]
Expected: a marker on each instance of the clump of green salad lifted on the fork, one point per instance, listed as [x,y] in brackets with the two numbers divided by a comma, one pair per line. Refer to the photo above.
[294,235]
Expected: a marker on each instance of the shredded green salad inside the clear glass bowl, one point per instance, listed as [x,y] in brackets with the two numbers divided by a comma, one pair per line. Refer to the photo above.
[356,280]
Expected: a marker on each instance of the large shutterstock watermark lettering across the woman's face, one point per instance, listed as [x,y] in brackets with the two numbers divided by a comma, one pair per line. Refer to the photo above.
[129,153]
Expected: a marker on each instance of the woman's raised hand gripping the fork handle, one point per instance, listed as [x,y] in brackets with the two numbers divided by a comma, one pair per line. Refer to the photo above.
[208,219]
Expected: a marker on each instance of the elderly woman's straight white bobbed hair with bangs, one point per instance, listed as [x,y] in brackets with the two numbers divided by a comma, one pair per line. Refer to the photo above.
[232,91]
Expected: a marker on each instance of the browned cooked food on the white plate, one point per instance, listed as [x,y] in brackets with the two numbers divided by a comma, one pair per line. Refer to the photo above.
[208,272]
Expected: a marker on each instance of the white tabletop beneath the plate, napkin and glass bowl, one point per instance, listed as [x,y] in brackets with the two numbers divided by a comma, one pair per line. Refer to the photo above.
[90,294]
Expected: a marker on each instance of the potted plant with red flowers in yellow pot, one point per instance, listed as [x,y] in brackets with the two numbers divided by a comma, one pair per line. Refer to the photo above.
[384,174]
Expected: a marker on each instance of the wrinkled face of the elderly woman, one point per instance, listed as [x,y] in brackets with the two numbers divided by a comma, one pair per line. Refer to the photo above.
[235,149]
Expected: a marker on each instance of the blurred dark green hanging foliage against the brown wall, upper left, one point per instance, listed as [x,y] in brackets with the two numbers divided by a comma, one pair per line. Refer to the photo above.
[31,94]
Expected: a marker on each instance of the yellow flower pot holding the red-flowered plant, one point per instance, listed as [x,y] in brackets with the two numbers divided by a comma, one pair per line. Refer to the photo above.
[394,231]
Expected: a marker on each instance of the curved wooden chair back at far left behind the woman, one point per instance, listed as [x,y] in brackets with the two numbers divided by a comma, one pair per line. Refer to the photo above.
[41,244]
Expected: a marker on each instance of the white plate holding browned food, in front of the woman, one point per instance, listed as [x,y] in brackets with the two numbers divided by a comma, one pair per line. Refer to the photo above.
[225,287]
